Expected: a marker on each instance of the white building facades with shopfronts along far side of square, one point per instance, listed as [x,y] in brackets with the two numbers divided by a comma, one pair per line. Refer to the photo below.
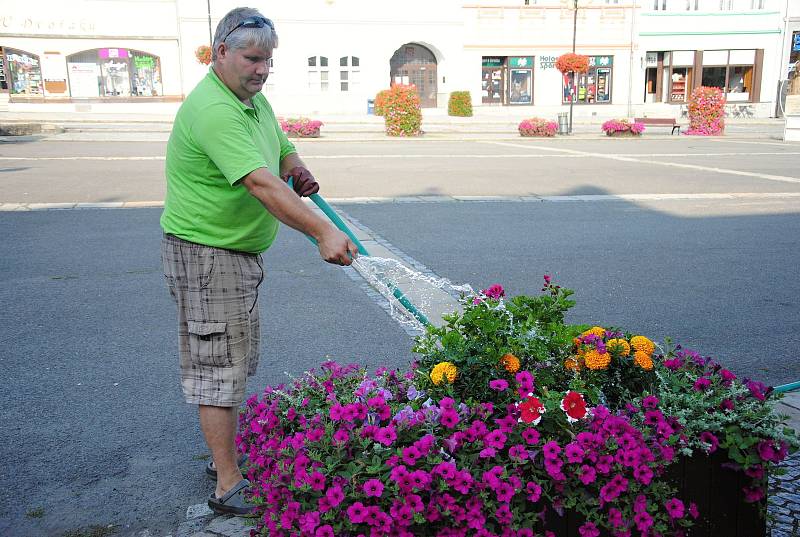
[334,55]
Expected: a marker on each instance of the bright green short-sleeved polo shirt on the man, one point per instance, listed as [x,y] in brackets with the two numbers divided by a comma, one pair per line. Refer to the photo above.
[216,140]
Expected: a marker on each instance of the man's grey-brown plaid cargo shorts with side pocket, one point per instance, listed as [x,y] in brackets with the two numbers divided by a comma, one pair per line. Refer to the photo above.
[216,291]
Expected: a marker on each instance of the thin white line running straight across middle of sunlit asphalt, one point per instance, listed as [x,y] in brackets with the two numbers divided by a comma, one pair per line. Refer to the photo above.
[565,153]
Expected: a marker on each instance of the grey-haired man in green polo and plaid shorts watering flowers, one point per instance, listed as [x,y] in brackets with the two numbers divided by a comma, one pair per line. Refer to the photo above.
[227,166]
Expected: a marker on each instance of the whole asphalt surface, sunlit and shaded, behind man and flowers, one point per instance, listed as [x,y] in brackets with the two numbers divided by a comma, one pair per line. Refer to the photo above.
[94,428]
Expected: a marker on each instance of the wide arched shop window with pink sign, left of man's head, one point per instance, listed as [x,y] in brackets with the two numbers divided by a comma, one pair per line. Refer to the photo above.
[114,72]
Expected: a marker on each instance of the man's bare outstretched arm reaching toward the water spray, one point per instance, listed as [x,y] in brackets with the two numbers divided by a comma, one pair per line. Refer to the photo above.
[334,246]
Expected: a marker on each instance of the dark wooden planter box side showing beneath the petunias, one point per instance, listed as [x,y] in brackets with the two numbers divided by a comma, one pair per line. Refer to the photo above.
[706,481]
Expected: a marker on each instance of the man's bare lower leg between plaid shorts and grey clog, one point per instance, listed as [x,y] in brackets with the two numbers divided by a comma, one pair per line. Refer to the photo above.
[219,428]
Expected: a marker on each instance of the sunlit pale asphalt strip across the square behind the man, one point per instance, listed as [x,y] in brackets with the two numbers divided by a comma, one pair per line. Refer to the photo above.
[49,171]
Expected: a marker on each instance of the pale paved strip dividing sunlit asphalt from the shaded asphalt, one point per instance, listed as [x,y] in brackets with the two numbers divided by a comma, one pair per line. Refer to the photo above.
[10,207]
